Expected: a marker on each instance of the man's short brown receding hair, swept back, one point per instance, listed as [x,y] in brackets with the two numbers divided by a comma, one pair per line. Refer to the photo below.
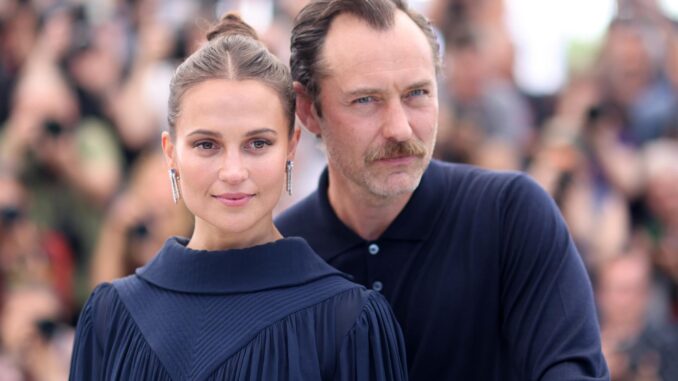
[313,23]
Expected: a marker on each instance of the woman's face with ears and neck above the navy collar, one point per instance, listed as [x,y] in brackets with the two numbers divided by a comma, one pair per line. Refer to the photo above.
[230,152]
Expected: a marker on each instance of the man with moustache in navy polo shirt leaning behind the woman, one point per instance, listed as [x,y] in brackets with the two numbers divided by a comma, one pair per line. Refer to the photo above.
[478,266]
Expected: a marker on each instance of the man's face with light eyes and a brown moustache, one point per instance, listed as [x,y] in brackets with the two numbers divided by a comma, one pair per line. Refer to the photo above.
[379,105]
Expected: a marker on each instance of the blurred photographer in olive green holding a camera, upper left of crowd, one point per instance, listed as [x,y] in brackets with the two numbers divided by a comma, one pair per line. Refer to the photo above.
[72,165]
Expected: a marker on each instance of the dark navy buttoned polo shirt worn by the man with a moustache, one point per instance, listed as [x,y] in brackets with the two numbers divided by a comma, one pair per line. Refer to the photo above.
[481,273]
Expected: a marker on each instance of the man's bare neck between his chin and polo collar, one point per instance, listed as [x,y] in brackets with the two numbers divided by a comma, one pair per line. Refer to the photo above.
[364,213]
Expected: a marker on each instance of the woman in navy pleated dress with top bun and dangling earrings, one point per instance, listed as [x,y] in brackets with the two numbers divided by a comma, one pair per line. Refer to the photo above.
[236,301]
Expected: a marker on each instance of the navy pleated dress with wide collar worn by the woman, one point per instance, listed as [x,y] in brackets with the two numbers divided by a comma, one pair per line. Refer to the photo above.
[270,312]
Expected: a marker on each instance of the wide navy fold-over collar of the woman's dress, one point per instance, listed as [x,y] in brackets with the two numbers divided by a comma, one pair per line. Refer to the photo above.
[283,263]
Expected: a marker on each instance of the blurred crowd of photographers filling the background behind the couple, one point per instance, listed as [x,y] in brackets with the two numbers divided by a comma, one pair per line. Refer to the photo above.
[580,94]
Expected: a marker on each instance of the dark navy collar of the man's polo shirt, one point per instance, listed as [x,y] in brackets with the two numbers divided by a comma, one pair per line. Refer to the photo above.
[414,223]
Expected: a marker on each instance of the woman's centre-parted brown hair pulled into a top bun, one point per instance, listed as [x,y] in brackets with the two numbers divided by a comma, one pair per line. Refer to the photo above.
[233,51]
